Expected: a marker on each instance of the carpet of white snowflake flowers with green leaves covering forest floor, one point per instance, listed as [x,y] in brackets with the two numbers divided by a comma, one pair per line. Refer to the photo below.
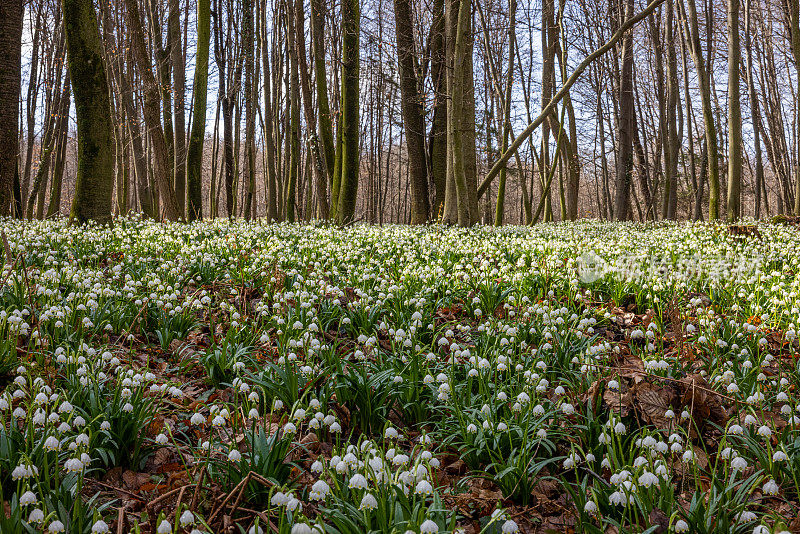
[245,377]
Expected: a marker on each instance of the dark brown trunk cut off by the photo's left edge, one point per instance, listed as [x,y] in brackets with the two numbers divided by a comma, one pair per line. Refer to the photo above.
[10,78]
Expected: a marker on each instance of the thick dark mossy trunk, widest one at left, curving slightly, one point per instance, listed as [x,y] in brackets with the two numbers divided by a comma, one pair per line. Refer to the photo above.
[95,178]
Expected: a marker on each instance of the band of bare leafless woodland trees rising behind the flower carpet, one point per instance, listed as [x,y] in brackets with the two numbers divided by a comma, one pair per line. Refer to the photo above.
[458,111]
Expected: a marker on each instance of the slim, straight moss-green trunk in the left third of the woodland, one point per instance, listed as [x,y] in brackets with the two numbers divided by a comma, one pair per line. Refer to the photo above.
[194,163]
